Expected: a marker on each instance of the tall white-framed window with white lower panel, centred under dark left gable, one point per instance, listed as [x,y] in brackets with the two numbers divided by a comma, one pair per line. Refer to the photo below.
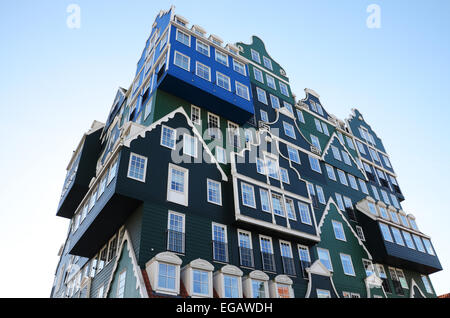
[178,185]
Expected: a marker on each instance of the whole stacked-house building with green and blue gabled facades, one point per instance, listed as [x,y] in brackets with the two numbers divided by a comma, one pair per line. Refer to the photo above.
[210,179]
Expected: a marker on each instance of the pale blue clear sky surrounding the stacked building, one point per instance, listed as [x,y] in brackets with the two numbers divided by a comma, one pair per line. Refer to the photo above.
[54,81]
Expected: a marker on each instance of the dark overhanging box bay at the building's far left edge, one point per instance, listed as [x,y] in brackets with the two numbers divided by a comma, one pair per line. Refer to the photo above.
[81,172]
